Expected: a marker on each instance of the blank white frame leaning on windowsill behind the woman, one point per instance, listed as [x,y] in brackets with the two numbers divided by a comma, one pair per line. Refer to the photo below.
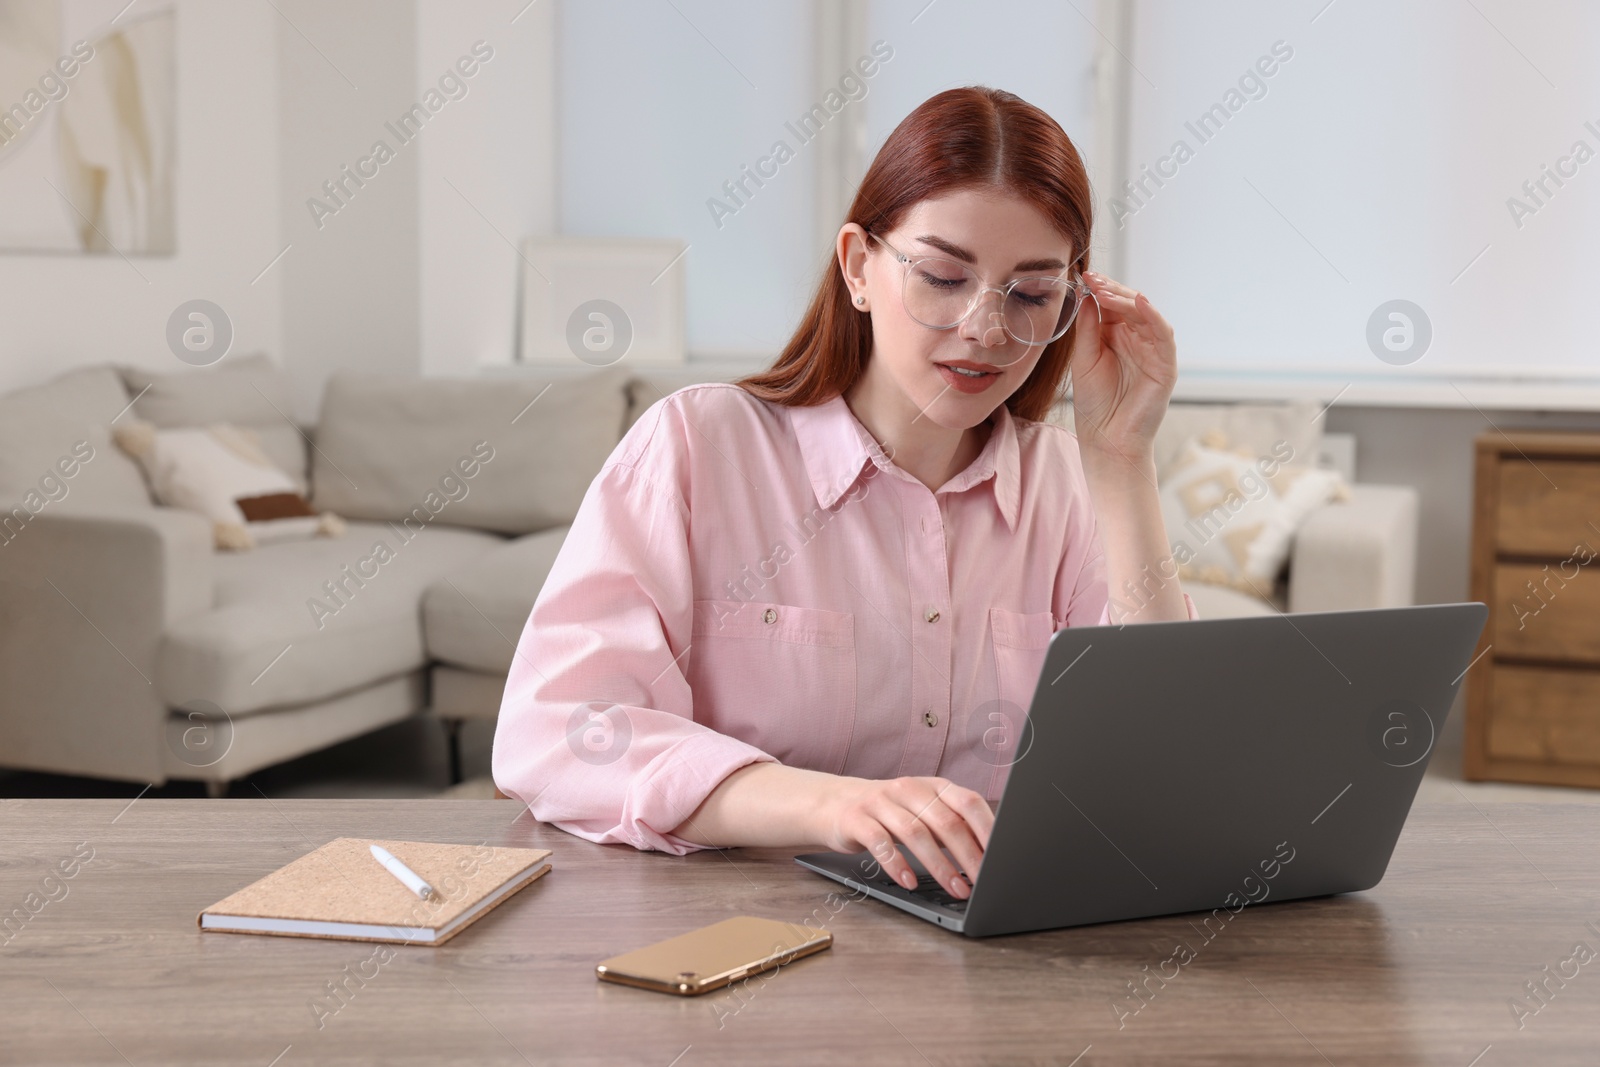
[644,278]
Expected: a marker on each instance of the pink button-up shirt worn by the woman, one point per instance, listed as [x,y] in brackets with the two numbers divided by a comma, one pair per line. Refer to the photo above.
[750,581]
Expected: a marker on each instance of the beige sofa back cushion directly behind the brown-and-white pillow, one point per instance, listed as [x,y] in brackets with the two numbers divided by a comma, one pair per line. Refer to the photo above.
[249,391]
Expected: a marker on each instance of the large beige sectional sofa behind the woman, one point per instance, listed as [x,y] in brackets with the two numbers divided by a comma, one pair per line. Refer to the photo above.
[132,650]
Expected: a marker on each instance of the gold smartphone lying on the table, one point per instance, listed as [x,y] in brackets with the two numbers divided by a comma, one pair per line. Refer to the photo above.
[714,956]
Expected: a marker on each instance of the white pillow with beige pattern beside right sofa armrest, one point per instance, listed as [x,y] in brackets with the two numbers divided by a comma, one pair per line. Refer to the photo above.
[1233,514]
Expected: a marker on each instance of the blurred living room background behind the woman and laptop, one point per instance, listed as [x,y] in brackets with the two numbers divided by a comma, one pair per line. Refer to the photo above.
[399,274]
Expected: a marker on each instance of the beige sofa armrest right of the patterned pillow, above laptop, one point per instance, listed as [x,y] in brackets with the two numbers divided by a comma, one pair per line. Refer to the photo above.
[1358,553]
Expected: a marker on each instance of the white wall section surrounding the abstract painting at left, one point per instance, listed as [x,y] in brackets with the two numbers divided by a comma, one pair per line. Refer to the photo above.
[63,311]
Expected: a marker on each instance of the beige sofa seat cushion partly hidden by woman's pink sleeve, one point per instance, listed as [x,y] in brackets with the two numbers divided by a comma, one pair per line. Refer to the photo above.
[474,617]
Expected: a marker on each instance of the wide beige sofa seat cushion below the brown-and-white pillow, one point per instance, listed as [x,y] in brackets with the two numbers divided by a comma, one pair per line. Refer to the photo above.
[308,620]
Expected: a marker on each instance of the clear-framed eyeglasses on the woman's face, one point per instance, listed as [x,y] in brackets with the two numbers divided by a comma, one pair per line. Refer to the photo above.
[942,294]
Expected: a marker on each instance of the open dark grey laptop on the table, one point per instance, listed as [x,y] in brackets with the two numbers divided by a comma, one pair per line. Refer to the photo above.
[1202,765]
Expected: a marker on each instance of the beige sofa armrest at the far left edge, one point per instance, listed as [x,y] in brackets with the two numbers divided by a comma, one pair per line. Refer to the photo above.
[86,601]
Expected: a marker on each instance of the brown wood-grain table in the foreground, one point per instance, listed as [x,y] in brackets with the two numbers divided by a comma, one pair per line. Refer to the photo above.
[1423,969]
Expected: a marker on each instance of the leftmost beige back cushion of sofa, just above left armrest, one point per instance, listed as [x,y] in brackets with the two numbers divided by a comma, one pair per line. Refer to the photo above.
[58,428]
